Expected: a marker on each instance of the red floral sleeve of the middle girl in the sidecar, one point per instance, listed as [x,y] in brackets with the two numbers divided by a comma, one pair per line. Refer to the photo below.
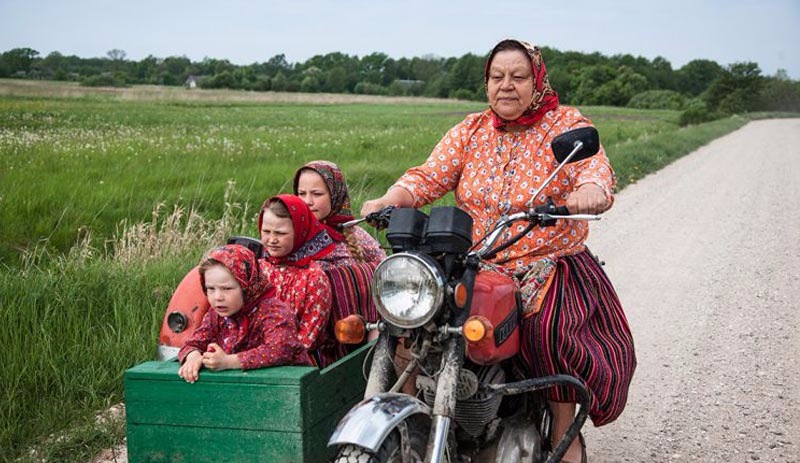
[316,307]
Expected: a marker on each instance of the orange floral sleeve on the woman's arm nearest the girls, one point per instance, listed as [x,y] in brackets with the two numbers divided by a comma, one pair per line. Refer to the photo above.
[440,173]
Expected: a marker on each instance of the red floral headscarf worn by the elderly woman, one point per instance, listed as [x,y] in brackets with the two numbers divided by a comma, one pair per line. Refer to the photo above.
[544,97]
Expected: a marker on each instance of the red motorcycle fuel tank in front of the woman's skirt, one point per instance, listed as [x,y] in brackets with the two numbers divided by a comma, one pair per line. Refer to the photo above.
[494,301]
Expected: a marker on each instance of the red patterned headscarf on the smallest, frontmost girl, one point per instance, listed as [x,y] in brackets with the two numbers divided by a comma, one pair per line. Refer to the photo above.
[243,265]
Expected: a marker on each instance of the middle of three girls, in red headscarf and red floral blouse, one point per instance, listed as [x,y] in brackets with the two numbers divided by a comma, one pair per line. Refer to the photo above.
[293,240]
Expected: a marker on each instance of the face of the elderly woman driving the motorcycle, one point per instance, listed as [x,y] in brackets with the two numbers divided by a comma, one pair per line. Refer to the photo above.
[510,84]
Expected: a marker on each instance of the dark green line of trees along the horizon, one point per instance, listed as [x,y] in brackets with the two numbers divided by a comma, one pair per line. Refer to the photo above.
[702,89]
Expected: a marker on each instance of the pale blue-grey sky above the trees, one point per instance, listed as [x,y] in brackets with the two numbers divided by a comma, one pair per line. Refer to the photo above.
[766,32]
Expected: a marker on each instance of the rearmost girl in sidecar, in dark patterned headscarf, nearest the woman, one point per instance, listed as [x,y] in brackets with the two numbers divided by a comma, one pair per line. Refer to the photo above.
[322,186]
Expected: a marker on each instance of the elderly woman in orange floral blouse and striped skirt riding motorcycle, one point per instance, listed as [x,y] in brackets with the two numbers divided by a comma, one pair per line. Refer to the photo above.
[494,161]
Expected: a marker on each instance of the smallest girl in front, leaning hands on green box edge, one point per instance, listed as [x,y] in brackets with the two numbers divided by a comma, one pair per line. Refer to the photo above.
[246,327]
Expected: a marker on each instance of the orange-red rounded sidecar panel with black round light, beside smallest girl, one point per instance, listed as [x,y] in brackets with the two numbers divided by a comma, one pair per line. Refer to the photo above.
[185,311]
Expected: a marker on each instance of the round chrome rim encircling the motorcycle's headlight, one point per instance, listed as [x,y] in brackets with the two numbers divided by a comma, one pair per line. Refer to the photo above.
[433,272]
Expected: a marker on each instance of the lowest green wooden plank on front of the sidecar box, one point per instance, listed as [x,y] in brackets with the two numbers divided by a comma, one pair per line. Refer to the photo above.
[184,444]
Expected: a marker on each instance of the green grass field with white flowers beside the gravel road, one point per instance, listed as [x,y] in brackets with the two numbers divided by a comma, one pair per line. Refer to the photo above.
[107,198]
